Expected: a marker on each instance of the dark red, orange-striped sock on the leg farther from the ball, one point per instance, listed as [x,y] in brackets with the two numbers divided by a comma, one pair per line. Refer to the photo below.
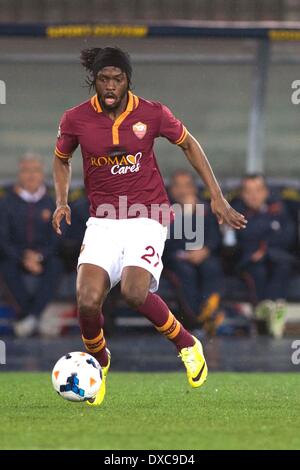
[155,309]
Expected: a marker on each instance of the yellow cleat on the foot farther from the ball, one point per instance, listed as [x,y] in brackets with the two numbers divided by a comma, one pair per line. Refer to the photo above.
[194,361]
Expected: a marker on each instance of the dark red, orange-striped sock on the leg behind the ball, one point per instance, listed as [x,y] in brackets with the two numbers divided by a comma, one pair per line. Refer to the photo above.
[93,337]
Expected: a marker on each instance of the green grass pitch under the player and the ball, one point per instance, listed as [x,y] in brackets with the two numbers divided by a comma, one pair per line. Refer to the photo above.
[154,411]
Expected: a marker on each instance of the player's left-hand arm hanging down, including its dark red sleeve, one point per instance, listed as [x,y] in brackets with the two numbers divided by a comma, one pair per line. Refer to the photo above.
[65,145]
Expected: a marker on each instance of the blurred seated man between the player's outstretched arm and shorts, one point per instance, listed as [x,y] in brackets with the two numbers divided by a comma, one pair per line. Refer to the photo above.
[199,271]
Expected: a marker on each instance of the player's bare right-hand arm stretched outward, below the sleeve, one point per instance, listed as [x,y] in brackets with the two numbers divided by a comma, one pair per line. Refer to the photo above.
[220,207]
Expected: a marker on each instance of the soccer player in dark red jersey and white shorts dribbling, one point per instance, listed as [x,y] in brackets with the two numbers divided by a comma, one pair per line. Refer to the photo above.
[116,131]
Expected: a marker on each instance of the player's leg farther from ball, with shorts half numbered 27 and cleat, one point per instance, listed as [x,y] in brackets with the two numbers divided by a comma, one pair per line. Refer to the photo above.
[139,280]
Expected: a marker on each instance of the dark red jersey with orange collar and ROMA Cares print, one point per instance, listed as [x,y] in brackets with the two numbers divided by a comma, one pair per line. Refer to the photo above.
[118,157]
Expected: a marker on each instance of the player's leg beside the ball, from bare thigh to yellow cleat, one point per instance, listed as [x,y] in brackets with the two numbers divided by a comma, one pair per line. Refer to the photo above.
[93,285]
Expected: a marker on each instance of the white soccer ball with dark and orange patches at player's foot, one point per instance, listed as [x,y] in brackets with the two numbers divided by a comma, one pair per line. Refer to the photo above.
[77,376]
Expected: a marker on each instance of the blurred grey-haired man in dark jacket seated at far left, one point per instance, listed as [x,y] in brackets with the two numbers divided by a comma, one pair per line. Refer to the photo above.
[29,266]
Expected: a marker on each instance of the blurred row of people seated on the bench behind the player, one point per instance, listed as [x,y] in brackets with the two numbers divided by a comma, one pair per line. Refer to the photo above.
[235,278]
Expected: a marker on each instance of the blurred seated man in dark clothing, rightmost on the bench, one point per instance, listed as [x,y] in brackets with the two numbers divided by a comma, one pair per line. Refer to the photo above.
[266,260]
